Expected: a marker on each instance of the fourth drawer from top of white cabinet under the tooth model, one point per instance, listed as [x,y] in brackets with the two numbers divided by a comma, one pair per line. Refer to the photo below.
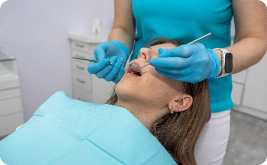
[81,80]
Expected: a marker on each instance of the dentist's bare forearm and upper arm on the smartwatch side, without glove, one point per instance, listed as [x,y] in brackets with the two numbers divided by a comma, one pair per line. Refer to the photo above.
[251,36]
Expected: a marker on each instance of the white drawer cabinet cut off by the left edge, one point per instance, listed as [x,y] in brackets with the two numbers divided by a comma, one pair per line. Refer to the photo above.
[11,114]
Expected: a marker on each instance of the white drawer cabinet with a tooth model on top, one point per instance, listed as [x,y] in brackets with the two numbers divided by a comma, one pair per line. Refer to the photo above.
[87,87]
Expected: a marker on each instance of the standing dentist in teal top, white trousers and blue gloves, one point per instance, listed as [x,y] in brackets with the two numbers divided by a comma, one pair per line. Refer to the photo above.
[138,21]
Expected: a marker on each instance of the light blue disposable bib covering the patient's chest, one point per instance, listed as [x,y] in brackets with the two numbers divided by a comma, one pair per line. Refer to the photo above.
[64,131]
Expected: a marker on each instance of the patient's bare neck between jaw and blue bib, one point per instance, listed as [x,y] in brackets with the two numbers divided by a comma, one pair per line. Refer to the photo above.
[147,114]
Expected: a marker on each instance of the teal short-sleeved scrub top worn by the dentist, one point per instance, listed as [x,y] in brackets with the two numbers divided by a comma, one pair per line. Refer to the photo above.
[187,20]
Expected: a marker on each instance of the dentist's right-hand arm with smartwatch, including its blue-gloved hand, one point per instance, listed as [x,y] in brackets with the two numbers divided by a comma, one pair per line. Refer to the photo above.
[183,63]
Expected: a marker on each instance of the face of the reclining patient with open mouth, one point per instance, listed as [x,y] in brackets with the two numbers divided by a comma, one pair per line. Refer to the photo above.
[149,87]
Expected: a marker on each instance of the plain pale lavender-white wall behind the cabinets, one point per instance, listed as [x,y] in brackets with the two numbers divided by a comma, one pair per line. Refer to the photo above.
[35,33]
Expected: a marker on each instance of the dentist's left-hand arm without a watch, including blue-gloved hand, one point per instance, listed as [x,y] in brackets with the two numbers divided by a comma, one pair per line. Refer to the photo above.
[118,48]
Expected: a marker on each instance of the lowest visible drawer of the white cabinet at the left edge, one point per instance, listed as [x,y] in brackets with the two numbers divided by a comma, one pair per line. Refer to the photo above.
[9,123]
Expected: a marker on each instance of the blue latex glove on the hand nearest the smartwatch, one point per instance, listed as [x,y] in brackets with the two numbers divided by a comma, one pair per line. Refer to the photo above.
[187,63]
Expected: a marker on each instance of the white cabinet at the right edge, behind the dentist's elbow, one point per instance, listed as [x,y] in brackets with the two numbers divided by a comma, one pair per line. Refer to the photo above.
[250,90]
